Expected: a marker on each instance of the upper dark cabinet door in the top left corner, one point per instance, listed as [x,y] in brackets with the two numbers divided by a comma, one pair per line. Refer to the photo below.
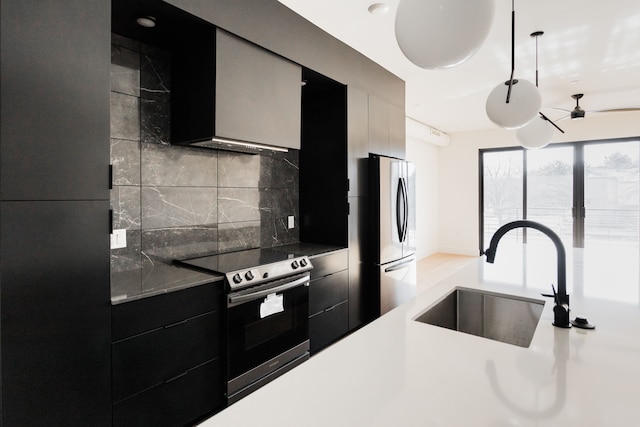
[55,100]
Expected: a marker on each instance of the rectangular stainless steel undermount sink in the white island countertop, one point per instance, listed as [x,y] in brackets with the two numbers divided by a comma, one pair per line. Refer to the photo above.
[501,317]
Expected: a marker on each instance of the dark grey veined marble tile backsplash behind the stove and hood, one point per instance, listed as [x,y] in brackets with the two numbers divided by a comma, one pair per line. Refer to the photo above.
[177,202]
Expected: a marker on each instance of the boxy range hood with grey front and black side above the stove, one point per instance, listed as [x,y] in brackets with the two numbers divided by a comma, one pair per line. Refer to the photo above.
[229,94]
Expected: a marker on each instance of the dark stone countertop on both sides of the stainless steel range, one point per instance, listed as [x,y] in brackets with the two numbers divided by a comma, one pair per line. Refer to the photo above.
[162,278]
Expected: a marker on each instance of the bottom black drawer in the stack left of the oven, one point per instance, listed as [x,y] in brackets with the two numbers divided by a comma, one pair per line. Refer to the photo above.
[197,393]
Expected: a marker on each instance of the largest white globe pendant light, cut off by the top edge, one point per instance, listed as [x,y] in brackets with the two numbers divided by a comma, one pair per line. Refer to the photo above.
[437,34]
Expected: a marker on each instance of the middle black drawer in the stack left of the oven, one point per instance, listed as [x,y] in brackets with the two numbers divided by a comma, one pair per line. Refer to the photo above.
[156,356]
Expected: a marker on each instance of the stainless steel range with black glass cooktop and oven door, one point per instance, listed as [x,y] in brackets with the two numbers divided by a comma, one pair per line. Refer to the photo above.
[267,309]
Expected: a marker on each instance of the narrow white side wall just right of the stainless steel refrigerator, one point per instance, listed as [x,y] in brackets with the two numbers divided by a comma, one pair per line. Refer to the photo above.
[425,157]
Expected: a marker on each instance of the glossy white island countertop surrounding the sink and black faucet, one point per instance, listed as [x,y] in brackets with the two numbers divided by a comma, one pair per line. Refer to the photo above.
[399,372]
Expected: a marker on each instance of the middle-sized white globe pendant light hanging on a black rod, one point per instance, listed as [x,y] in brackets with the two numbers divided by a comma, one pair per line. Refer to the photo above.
[524,103]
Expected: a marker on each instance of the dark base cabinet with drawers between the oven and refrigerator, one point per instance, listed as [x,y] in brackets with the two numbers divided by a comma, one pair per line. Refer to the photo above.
[328,299]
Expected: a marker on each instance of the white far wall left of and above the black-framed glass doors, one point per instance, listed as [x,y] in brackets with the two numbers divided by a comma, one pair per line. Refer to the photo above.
[457,164]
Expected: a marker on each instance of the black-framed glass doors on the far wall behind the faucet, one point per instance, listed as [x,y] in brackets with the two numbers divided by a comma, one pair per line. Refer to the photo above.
[586,192]
